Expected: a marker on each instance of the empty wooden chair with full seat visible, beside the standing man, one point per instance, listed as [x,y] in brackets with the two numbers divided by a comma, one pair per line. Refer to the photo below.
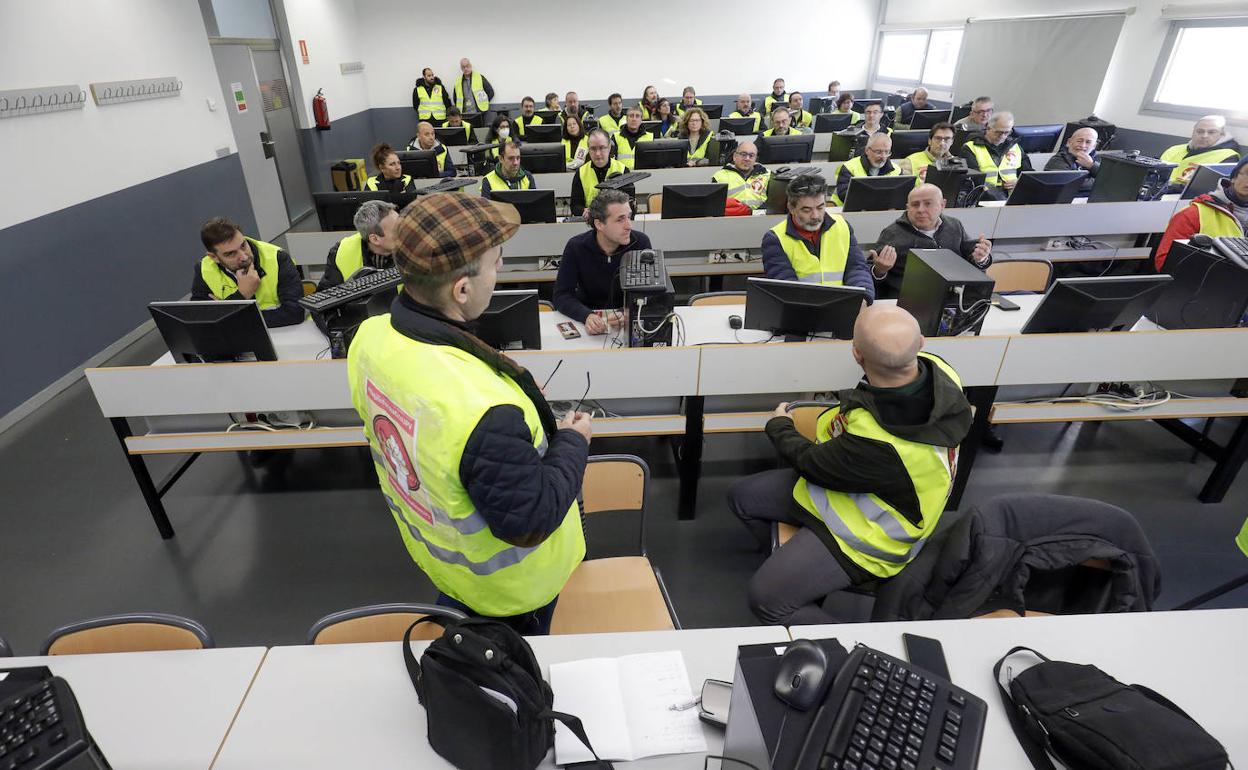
[617,593]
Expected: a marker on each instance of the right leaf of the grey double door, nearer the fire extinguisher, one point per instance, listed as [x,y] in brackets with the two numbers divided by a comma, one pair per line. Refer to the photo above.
[284,133]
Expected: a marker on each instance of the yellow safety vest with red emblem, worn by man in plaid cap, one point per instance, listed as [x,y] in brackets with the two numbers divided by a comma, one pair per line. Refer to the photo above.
[420,404]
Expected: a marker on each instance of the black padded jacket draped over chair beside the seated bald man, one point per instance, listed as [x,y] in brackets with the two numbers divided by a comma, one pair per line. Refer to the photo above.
[1020,552]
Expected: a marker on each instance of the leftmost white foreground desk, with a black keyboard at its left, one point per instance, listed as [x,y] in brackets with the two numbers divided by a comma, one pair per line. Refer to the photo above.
[159,711]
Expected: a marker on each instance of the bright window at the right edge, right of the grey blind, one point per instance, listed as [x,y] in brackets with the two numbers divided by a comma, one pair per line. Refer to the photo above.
[1187,82]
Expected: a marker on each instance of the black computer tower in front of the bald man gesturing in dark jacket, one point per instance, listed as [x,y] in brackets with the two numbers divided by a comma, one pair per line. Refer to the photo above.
[947,295]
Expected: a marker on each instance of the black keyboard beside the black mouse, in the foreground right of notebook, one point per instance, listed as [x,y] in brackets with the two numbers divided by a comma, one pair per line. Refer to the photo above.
[884,714]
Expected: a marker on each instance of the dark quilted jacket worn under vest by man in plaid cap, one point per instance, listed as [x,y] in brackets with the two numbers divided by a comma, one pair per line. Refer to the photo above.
[524,496]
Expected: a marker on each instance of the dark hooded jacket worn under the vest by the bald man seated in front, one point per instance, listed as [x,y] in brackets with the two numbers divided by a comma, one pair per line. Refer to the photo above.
[933,411]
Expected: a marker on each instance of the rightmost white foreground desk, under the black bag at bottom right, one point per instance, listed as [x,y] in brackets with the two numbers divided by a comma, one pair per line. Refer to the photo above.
[1194,658]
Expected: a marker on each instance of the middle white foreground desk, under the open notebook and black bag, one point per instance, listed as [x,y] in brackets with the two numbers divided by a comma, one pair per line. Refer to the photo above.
[354,706]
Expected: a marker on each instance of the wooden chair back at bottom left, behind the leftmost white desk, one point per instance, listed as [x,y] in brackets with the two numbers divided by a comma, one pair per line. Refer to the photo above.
[128,633]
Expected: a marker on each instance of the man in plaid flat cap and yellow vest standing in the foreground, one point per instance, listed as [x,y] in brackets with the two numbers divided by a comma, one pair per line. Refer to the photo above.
[481,479]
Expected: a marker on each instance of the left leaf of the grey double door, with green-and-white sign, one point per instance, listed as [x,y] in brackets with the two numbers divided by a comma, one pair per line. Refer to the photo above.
[235,71]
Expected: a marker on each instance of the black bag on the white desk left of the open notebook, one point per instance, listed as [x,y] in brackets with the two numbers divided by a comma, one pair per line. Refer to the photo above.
[465,682]
